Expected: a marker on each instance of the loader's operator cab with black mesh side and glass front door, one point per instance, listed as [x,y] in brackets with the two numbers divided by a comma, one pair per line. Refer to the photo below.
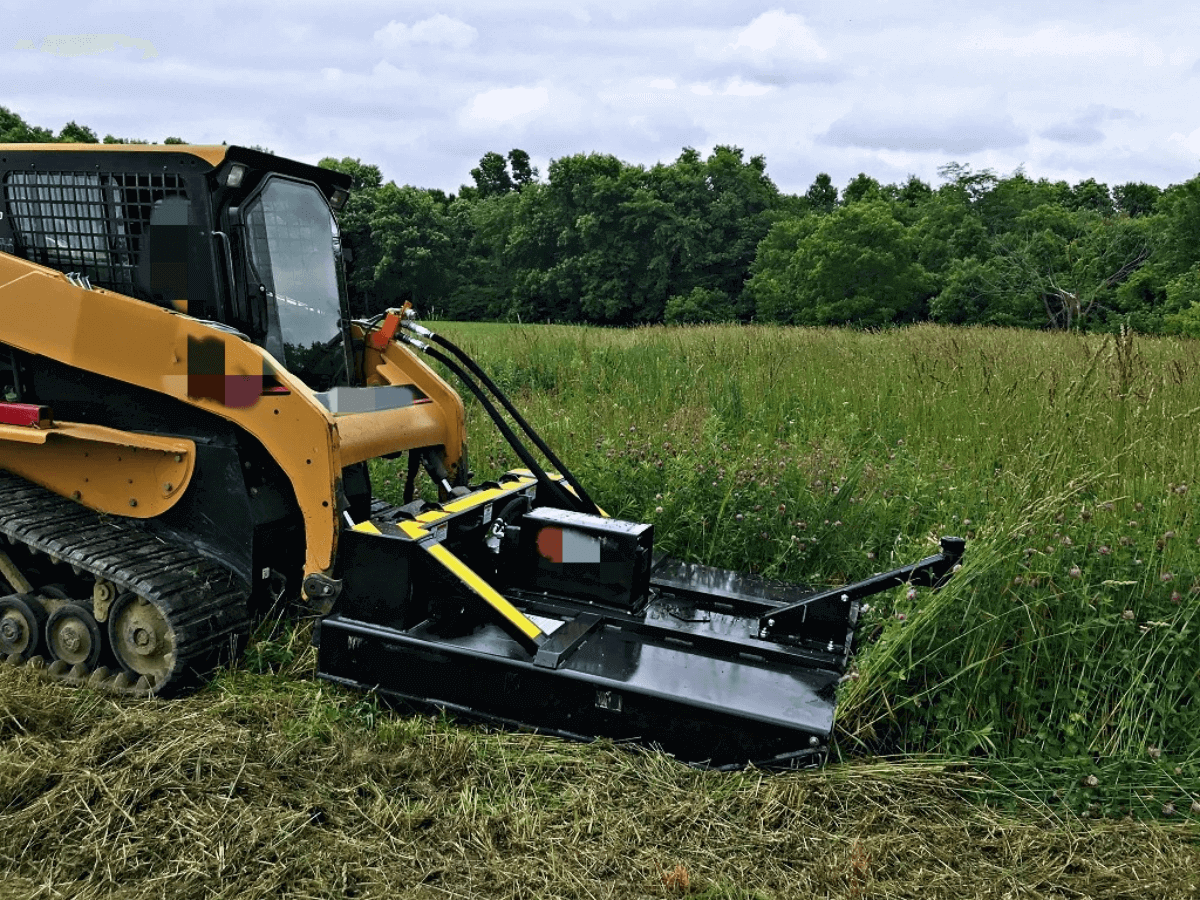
[236,237]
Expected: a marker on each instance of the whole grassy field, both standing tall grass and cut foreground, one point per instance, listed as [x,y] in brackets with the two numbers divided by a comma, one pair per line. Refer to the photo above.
[1023,715]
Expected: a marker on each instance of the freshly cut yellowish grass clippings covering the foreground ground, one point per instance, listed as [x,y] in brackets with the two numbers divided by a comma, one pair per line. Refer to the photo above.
[277,787]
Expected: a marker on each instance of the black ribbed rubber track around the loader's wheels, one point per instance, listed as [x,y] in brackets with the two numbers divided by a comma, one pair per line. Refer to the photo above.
[205,603]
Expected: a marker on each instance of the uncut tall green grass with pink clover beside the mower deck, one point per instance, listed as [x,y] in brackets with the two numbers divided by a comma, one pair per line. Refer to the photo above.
[1070,641]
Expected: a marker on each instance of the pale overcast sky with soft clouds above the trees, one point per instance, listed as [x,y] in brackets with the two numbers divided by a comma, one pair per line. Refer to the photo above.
[1067,91]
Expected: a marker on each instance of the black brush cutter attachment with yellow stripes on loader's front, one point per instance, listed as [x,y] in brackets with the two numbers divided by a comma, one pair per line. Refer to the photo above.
[520,604]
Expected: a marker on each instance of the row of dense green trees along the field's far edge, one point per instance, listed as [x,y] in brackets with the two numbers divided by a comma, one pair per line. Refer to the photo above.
[712,239]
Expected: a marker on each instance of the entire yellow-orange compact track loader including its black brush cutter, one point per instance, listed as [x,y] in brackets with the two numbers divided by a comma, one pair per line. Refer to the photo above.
[187,417]
